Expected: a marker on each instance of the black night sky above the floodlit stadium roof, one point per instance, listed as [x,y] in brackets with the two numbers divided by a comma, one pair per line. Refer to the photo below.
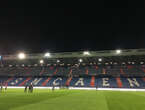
[37,28]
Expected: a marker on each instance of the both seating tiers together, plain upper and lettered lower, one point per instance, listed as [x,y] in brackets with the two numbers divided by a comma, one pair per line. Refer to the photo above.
[102,76]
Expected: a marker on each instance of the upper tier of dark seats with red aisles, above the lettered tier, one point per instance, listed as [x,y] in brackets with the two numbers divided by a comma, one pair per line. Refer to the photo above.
[65,71]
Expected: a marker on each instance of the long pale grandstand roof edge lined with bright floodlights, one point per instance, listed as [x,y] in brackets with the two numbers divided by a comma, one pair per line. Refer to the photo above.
[105,53]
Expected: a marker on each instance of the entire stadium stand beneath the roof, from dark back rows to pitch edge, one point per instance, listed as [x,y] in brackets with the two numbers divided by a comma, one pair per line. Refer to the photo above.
[112,72]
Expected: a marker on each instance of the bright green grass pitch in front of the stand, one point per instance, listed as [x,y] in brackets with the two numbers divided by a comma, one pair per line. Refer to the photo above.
[16,99]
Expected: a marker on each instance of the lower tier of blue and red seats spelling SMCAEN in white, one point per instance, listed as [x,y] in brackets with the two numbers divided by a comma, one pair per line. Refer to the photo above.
[105,82]
